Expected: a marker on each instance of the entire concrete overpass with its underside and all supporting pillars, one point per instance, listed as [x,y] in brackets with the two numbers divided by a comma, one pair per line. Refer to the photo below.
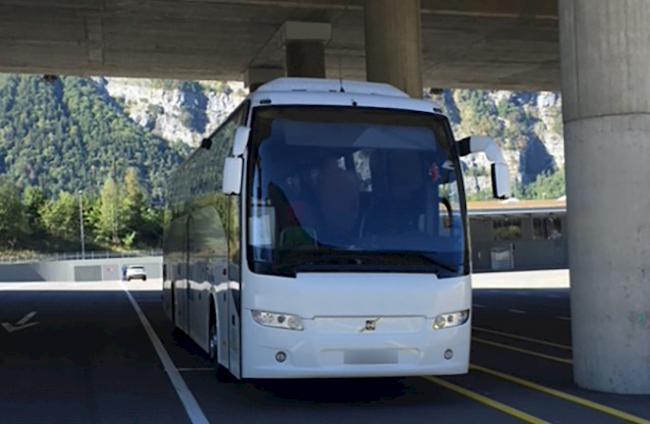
[602,48]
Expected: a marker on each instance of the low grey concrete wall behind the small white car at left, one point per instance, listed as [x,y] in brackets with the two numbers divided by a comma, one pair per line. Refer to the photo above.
[78,270]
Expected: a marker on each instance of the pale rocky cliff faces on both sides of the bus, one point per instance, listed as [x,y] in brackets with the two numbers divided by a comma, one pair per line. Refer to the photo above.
[528,125]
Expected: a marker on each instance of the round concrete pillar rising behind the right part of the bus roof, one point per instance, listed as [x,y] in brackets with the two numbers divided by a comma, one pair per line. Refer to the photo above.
[394,44]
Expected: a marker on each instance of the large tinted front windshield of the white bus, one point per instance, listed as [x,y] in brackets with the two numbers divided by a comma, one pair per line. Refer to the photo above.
[353,189]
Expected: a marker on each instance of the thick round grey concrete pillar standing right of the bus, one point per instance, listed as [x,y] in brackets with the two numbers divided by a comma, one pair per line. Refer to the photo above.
[605,54]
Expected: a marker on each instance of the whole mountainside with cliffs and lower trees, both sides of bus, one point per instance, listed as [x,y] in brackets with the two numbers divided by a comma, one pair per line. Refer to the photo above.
[119,139]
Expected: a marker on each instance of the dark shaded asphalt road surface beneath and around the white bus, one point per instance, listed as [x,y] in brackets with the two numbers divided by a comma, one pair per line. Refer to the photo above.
[89,360]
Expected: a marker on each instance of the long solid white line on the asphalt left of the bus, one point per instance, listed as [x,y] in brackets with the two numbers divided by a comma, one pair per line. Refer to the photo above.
[190,404]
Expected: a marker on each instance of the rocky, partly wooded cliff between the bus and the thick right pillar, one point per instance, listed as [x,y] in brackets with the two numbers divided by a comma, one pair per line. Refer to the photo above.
[527,126]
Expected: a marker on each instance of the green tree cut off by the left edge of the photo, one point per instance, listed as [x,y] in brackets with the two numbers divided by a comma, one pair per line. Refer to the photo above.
[12,218]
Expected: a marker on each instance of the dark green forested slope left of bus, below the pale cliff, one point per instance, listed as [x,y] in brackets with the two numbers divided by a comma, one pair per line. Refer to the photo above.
[70,135]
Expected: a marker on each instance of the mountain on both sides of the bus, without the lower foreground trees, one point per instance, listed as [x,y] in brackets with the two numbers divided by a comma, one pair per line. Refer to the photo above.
[71,133]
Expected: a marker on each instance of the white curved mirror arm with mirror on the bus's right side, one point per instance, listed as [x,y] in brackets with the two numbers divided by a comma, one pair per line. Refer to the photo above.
[499,168]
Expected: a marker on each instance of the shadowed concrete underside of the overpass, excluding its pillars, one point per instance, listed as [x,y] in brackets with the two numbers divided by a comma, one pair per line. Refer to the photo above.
[471,43]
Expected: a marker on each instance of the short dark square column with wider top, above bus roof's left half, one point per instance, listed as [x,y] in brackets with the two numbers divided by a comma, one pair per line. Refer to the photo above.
[304,44]
